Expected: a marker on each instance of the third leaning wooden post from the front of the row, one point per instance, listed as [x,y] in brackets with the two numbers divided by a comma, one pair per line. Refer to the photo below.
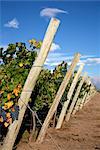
[66,103]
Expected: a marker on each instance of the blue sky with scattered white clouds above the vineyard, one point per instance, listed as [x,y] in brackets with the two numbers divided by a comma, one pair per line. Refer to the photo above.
[79,30]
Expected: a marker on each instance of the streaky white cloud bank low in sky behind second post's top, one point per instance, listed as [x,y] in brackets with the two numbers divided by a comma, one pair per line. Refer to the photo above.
[54,58]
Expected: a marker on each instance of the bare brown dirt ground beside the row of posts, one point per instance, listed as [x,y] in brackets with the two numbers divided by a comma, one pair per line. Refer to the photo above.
[82,132]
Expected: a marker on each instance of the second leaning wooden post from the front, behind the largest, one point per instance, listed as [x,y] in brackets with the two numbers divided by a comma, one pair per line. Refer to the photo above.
[57,98]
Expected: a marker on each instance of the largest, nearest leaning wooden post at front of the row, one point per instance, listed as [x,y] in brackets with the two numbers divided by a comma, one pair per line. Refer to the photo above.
[30,83]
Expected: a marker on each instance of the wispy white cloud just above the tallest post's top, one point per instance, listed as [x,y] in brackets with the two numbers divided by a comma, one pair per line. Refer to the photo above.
[51,12]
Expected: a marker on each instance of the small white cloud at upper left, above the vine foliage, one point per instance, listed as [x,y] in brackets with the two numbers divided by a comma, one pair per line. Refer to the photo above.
[12,24]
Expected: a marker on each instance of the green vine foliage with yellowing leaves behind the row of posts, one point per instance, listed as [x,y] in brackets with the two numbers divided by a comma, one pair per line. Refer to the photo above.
[17,61]
